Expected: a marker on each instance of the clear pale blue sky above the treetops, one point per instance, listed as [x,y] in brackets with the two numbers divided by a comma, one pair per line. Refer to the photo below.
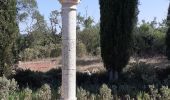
[148,9]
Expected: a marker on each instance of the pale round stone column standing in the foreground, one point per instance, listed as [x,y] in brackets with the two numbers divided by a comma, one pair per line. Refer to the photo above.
[68,89]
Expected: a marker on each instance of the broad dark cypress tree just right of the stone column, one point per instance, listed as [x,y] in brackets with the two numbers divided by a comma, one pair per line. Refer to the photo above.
[117,21]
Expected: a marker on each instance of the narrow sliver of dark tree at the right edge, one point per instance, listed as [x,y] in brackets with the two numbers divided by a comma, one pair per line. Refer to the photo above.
[168,35]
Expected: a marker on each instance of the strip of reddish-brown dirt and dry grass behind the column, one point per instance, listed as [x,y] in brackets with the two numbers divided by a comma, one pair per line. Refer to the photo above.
[88,64]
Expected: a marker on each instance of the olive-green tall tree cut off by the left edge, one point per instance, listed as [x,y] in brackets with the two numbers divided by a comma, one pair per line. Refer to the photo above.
[8,35]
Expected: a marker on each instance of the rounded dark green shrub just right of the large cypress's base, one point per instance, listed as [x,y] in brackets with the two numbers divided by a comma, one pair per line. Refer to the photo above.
[142,73]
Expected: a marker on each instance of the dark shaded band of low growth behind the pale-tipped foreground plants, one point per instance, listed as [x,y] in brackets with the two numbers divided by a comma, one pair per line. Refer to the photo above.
[133,79]
